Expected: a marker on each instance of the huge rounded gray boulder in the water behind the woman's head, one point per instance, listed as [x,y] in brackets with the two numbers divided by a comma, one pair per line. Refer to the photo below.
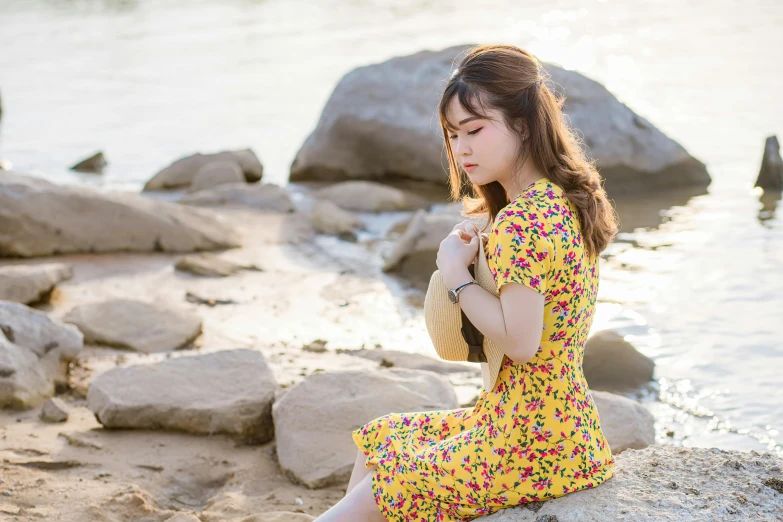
[381,120]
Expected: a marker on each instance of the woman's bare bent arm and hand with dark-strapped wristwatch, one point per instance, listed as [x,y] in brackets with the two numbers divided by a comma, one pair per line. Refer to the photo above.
[514,322]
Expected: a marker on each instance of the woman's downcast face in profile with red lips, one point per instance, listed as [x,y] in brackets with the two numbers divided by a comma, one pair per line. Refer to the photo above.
[485,148]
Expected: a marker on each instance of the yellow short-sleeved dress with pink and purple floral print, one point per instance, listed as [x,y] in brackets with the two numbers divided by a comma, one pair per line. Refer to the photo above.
[536,435]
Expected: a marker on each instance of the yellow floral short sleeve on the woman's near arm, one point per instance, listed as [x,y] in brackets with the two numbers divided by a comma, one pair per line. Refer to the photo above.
[520,250]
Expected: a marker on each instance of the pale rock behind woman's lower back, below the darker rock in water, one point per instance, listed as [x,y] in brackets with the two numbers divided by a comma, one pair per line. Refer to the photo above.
[625,422]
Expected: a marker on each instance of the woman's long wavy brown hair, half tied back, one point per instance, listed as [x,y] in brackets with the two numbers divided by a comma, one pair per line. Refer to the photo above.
[509,79]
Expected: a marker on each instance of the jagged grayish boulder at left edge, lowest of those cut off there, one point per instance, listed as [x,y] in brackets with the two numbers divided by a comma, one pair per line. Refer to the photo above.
[35,351]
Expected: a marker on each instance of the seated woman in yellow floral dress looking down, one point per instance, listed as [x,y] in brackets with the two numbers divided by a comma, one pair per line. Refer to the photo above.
[535,435]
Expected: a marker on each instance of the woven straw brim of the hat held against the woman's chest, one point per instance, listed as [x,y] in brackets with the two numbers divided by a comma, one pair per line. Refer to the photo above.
[444,321]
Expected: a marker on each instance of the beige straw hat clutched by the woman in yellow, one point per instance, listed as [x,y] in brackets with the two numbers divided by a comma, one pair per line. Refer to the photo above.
[453,335]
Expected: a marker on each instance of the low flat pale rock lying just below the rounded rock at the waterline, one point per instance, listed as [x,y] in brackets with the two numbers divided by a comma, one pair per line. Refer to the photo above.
[260,196]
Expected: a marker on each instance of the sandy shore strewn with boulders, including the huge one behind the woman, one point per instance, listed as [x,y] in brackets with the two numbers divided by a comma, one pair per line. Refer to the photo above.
[203,354]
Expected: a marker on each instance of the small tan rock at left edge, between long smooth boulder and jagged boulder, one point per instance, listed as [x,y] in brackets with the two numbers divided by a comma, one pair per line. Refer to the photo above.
[31,283]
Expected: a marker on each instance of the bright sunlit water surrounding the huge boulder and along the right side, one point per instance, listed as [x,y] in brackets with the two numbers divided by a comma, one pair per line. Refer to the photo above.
[696,285]
